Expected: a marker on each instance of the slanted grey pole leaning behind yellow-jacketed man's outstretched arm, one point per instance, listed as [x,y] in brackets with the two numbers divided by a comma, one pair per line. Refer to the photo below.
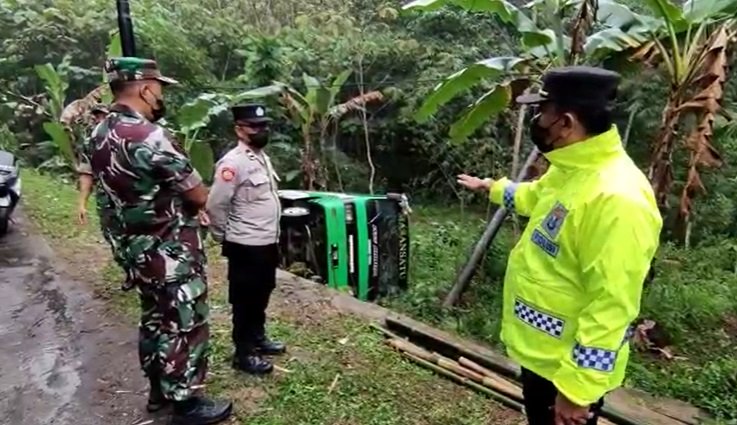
[464,277]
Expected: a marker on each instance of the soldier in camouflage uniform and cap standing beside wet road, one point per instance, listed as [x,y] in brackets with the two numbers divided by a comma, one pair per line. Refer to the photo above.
[156,197]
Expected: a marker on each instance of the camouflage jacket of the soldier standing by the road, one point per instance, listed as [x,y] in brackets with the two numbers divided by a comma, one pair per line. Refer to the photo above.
[144,172]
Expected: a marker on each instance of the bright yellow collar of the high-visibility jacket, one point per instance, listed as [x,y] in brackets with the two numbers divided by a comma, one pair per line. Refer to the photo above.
[589,153]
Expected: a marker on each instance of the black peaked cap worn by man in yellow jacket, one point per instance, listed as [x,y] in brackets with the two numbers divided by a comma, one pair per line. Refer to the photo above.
[575,85]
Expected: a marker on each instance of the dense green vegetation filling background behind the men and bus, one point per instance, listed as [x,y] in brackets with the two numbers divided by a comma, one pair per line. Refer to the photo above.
[51,53]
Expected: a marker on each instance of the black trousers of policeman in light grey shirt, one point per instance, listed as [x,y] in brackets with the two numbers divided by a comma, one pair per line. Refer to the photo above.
[251,279]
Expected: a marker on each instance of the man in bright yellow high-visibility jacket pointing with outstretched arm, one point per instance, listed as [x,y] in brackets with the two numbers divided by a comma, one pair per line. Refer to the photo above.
[574,280]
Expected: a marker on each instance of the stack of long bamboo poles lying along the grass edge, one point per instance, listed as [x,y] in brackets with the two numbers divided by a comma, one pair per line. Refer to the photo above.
[463,371]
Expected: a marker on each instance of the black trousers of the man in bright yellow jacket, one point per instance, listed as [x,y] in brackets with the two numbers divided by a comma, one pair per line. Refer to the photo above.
[540,397]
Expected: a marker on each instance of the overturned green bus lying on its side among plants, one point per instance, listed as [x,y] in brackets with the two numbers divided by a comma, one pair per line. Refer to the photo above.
[358,243]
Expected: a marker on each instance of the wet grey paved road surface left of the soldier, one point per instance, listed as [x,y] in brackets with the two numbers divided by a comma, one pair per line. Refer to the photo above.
[63,358]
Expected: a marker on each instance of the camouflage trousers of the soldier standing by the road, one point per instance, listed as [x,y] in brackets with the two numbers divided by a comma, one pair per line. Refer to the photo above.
[174,332]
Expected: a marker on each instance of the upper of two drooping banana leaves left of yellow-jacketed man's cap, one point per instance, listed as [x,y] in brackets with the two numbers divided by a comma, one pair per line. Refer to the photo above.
[464,80]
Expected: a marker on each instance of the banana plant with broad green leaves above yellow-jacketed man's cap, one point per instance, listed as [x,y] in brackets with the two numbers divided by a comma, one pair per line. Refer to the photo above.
[539,48]
